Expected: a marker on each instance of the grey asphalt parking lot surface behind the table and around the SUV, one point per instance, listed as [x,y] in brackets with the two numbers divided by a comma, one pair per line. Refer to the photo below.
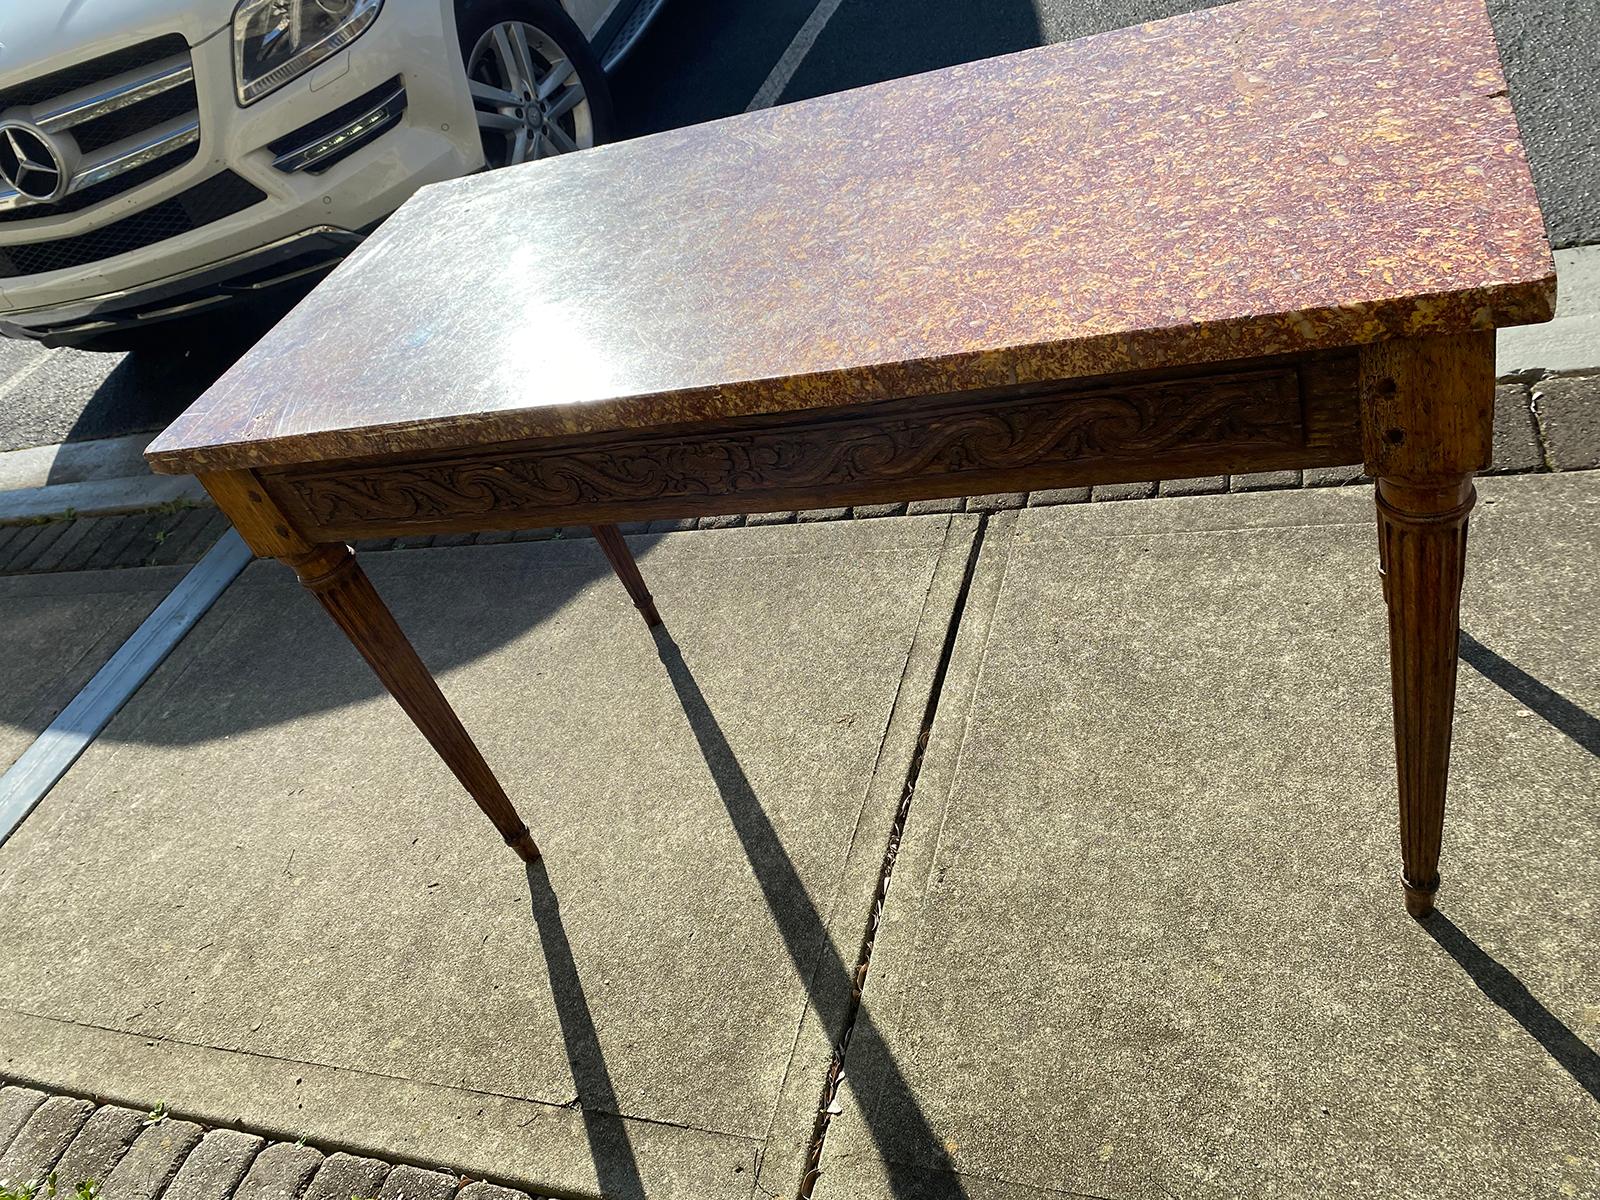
[702,62]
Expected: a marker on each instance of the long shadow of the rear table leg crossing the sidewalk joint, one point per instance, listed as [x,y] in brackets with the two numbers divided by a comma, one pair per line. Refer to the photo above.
[914,1156]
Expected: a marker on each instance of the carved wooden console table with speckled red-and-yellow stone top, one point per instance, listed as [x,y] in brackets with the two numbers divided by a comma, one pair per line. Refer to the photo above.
[1266,236]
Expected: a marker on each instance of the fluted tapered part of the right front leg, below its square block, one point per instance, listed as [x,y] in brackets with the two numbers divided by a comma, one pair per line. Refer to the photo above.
[1423,548]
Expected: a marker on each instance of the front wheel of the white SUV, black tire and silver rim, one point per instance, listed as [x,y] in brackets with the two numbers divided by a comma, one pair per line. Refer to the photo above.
[537,86]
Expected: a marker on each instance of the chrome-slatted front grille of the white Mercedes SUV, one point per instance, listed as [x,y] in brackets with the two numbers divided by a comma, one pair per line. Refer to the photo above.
[130,116]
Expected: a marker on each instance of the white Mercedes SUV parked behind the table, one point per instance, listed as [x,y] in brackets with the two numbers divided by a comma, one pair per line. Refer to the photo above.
[164,158]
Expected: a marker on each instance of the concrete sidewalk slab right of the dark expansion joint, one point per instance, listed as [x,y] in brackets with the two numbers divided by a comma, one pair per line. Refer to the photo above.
[1145,935]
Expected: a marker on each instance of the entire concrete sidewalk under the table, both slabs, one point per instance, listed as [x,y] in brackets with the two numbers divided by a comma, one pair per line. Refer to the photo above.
[1143,935]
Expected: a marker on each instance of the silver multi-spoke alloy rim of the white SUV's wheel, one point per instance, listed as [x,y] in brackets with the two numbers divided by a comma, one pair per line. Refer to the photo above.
[529,98]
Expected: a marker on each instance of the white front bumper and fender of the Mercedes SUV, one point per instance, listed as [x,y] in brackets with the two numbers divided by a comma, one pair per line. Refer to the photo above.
[316,194]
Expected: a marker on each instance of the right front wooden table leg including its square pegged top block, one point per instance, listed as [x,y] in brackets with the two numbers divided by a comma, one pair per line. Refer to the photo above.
[1428,412]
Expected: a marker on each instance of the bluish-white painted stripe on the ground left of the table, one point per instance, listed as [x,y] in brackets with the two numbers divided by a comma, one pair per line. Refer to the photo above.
[42,764]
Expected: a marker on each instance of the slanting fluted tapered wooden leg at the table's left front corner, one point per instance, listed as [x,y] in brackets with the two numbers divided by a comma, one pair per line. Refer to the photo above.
[342,586]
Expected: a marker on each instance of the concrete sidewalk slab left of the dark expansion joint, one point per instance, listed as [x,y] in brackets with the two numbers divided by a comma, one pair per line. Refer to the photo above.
[263,897]
